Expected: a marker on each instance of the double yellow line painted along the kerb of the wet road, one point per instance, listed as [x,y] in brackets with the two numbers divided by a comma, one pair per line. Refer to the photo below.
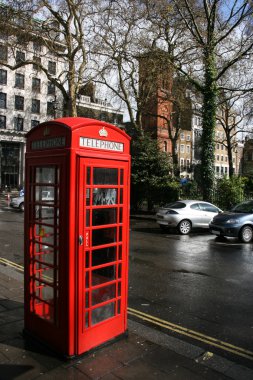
[170,326]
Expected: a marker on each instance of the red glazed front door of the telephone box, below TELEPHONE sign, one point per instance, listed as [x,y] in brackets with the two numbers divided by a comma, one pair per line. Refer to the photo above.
[102,252]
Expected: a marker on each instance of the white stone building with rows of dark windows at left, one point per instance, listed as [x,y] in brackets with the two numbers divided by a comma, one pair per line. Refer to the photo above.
[26,99]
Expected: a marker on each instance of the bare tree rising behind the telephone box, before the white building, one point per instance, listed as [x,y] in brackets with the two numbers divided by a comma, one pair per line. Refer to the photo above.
[61,26]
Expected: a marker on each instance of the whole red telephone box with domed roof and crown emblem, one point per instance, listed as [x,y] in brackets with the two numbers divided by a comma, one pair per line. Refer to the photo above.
[76,233]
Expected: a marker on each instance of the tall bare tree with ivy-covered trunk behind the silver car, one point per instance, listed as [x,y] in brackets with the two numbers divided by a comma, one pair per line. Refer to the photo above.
[208,38]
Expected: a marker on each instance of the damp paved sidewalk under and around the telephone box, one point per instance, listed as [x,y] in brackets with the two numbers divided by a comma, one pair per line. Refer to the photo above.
[145,354]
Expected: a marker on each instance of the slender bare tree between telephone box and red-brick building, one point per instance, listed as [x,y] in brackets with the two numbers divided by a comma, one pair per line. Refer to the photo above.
[120,36]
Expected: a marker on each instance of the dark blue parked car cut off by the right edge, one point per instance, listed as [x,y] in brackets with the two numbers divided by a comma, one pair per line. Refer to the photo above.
[236,223]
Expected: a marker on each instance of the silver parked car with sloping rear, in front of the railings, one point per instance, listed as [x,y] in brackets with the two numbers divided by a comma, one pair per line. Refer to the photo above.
[185,215]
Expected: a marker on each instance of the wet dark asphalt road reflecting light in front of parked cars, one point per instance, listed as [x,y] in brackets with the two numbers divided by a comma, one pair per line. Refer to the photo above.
[198,281]
